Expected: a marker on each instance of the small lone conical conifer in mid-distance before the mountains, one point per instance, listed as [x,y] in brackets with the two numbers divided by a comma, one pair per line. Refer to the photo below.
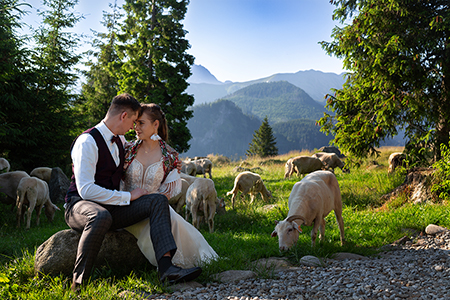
[263,143]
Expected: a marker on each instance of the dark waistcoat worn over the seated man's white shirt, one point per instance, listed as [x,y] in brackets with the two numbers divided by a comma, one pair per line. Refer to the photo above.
[107,174]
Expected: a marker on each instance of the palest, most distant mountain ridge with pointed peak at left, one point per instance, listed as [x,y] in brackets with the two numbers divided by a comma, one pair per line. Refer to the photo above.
[315,83]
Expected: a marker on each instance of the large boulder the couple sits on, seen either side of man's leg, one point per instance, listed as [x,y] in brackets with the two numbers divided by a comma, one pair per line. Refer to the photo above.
[57,255]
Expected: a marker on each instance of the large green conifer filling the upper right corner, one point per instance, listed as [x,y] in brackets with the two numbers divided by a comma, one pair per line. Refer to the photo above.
[398,56]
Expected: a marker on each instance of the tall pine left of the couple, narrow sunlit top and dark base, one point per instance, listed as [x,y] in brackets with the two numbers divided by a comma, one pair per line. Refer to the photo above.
[42,126]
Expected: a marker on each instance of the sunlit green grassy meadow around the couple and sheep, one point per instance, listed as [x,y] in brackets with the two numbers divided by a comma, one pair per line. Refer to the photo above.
[241,235]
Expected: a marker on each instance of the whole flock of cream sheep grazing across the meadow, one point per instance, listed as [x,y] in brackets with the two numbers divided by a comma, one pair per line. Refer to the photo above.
[310,200]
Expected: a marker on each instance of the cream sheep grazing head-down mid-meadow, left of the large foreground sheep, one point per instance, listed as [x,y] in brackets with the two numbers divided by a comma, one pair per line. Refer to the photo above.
[248,182]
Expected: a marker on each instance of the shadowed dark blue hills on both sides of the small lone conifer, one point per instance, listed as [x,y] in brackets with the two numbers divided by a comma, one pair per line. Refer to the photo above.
[223,128]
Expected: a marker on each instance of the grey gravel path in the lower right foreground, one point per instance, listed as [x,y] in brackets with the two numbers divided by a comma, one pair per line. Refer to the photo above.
[418,269]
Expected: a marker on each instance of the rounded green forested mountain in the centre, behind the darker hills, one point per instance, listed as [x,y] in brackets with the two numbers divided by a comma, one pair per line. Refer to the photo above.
[280,101]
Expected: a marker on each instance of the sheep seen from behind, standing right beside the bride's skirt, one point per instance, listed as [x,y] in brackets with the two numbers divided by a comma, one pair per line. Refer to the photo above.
[201,196]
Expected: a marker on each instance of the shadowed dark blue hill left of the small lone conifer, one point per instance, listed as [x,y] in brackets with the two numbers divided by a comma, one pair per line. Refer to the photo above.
[220,128]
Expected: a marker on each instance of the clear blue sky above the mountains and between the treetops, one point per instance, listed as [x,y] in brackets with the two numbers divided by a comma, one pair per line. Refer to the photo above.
[241,40]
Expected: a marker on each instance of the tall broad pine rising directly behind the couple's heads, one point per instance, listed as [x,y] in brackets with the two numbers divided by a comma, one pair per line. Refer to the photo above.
[156,66]
